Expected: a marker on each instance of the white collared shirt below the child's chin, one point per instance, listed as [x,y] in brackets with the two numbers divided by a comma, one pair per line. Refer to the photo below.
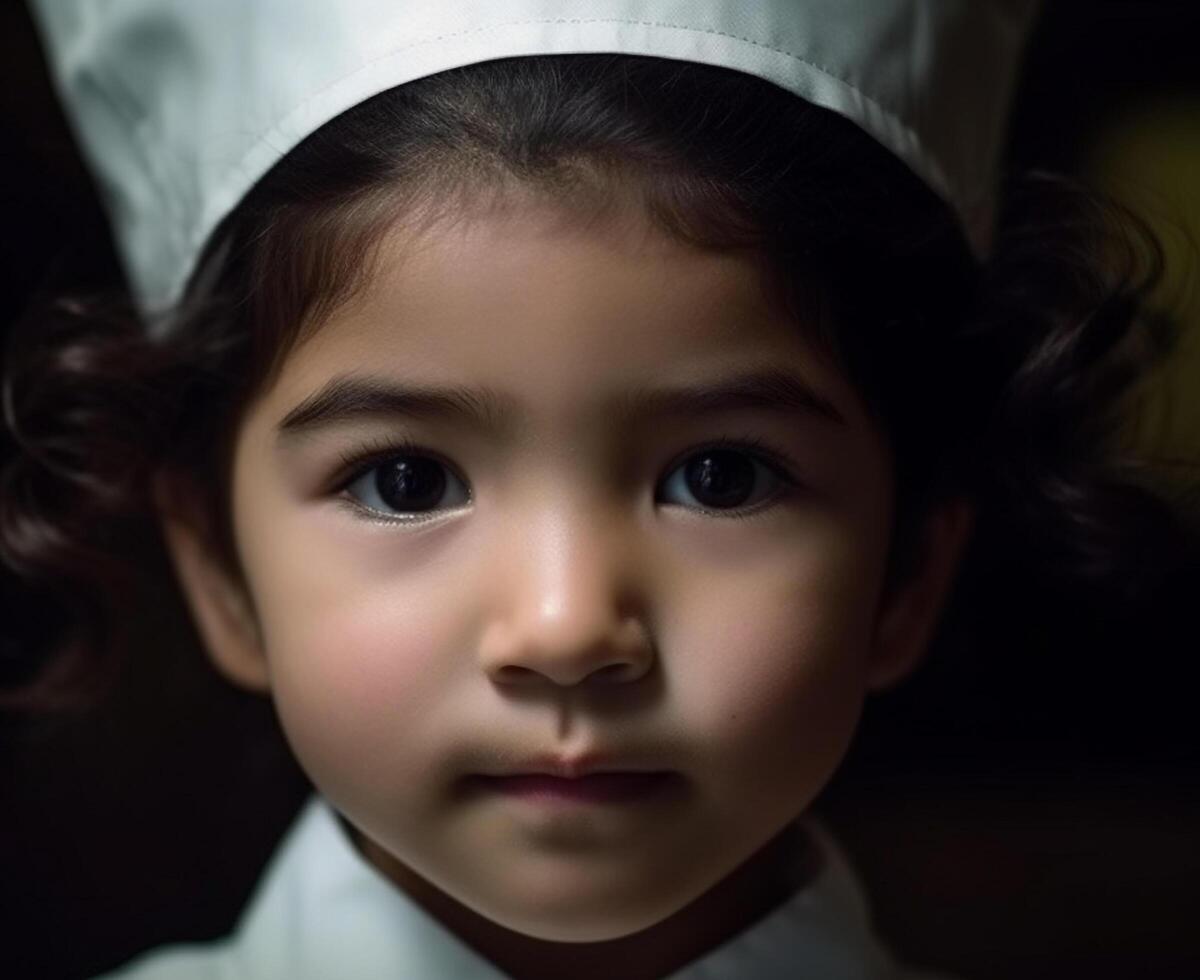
[322,912]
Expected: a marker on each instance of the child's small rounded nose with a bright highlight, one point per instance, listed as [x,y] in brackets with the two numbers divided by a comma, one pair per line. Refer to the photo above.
[569,609]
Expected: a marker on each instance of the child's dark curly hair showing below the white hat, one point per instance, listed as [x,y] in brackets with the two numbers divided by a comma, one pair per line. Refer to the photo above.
[1006,381]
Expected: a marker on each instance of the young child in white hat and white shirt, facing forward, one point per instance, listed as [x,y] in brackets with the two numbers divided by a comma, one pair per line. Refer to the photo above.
[573,412]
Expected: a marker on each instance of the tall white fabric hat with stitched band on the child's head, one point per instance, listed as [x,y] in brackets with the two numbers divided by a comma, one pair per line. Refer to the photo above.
[182,106]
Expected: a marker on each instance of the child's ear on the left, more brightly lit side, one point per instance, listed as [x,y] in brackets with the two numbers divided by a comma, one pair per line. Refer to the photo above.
[220,608]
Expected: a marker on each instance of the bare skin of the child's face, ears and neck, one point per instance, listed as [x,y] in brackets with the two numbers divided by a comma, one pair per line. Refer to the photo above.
[573,603]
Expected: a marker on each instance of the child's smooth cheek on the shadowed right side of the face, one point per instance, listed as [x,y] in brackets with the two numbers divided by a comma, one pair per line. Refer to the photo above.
[777,668]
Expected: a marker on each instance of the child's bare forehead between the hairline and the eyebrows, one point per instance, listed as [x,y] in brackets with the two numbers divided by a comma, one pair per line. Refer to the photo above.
[538,278]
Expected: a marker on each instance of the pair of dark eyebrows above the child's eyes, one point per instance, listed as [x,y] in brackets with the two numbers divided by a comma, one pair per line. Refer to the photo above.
[349,398]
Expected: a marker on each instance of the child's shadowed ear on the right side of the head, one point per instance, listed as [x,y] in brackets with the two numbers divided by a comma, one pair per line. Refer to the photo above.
[911,612]
